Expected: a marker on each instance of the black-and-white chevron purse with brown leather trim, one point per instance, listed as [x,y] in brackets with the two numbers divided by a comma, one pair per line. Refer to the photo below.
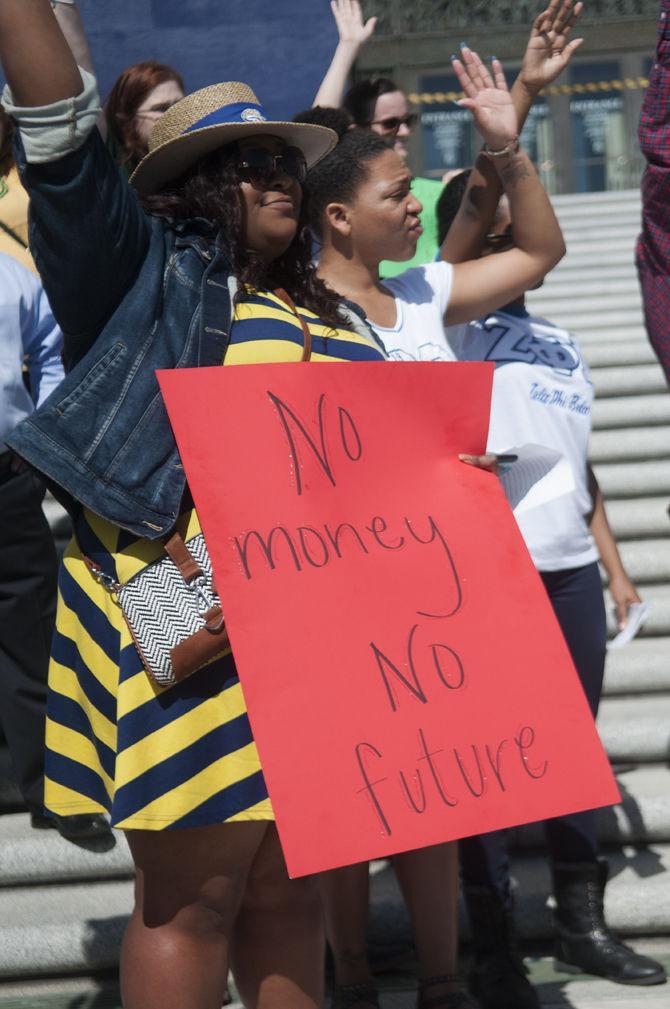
[173,611]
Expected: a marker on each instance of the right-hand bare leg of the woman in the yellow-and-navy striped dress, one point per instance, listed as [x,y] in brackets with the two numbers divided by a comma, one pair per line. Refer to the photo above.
[278,948]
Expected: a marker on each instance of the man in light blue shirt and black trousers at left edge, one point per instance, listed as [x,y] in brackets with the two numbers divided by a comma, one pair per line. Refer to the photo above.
[30,340]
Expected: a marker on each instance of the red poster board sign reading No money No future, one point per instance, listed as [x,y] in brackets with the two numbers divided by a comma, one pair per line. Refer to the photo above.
[406,679]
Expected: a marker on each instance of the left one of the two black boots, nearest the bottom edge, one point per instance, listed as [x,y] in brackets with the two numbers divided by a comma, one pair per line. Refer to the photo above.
[499,978]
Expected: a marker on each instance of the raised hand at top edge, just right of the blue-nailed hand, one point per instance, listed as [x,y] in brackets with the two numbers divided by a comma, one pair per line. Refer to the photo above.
[548,51]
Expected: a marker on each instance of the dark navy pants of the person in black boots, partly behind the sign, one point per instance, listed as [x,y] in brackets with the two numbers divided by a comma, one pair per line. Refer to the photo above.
[577,597]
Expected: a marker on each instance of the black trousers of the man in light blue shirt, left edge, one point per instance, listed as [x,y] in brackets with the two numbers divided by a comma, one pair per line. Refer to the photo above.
[29,570]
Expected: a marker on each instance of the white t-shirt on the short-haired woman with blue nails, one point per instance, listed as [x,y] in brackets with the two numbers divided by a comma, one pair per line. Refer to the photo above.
[422,296]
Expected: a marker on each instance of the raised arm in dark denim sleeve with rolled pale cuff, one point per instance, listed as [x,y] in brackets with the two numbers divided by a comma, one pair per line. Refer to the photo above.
[87,259]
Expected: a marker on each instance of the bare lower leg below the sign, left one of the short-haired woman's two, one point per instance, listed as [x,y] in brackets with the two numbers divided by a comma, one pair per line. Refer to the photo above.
[345,898]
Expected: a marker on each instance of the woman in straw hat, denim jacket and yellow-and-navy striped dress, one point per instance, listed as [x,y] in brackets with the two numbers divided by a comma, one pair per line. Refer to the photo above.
[203,271]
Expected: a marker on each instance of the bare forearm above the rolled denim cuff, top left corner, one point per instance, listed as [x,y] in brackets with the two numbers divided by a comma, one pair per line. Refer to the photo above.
[39,66]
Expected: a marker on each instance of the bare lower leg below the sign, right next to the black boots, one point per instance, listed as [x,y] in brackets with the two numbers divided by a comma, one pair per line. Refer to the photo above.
[429,880]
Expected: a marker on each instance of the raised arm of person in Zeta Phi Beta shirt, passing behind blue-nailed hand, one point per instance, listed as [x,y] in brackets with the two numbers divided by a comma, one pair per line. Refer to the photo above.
[547,54]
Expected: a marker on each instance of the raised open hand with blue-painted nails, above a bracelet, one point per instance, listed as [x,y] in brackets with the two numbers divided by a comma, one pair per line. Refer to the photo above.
[488,98]
